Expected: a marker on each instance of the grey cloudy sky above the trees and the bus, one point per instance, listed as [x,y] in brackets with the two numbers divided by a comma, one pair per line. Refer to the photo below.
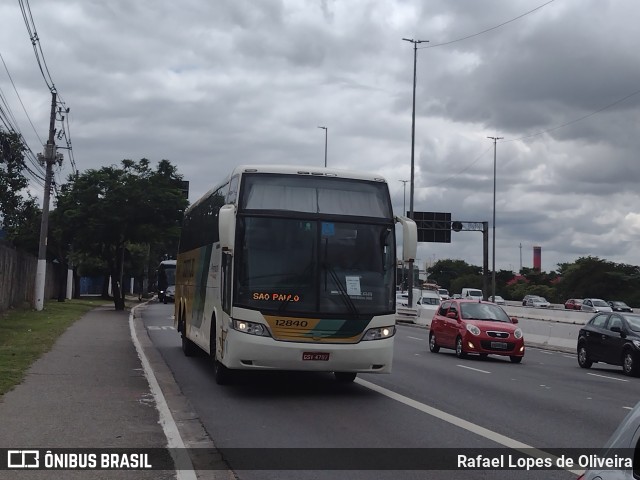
[212,84]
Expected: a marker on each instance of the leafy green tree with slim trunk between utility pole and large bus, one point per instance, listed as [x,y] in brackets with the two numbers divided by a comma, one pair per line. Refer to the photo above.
[109,209]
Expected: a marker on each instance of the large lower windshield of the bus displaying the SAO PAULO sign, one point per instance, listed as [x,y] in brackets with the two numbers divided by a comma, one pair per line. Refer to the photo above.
[315,266]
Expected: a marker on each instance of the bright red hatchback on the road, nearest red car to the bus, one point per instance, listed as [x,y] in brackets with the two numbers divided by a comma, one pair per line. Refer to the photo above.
[471,326]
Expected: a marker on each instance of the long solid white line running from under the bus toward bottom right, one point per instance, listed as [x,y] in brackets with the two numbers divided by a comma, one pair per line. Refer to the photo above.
[464,424]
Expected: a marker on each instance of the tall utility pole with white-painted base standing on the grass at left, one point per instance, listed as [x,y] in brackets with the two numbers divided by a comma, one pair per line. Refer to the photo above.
[49,158]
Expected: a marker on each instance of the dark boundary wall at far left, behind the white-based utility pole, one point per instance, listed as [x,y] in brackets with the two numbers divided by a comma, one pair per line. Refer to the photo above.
[18,278]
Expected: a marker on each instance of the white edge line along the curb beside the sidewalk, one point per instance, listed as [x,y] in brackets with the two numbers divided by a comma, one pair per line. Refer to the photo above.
[174,440]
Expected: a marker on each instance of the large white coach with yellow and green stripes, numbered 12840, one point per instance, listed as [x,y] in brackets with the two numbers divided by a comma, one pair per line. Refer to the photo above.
[285,268]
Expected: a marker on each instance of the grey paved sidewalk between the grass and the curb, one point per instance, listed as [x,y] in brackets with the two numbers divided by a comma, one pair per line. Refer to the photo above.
[89,391]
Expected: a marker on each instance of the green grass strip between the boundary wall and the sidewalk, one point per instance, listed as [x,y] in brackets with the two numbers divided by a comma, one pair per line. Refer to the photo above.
[26,334]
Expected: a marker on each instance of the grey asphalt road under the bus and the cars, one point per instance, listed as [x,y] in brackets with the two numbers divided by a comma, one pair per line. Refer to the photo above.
[430,401]
